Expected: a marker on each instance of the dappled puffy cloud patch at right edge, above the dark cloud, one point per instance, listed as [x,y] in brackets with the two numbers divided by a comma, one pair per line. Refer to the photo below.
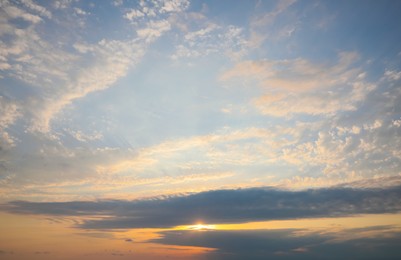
[348,150]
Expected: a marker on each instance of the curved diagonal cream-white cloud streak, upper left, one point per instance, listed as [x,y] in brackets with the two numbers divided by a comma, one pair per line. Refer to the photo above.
[111,61]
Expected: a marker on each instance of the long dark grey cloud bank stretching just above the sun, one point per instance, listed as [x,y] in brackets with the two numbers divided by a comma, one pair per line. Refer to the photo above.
[220,206]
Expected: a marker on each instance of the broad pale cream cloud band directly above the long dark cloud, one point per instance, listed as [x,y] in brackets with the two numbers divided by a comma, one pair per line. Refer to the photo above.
[302,155]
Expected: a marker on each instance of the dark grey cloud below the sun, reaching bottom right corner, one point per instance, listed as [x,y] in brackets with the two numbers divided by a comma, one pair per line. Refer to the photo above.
[286,244]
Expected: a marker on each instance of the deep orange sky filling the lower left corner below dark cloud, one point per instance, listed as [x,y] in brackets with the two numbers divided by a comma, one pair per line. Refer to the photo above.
[39,237]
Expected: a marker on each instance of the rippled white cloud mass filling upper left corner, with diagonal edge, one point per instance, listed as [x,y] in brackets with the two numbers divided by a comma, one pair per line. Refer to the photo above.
[29,55]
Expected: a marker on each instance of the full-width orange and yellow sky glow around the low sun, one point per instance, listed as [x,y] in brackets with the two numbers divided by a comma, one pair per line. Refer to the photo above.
[39,237]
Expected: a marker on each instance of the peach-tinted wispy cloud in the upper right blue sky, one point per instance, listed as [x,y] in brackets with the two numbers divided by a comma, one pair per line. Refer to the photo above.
[299,86]
